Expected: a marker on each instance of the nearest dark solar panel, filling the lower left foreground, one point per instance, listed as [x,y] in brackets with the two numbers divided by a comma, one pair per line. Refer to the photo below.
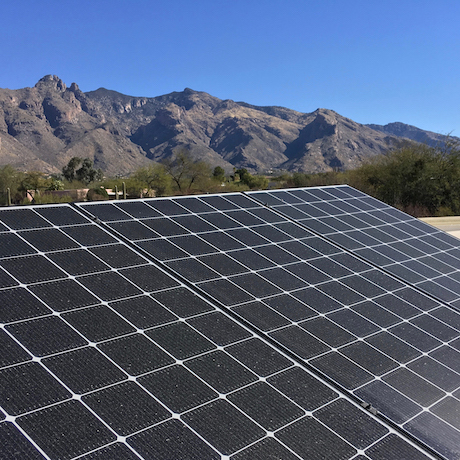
[106,353]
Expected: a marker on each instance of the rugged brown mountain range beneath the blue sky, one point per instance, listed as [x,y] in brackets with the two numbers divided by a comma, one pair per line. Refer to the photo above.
[42,127]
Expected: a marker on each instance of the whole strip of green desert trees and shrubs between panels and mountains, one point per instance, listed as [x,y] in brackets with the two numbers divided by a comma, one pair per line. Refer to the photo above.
[419,179]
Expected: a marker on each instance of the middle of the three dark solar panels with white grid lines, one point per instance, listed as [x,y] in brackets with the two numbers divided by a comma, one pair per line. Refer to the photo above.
[371,333]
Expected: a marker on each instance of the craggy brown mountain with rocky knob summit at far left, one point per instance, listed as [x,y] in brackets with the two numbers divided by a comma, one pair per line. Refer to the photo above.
[43,127]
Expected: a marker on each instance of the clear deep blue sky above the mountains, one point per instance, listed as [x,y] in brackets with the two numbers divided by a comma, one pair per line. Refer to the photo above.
[374,61]
